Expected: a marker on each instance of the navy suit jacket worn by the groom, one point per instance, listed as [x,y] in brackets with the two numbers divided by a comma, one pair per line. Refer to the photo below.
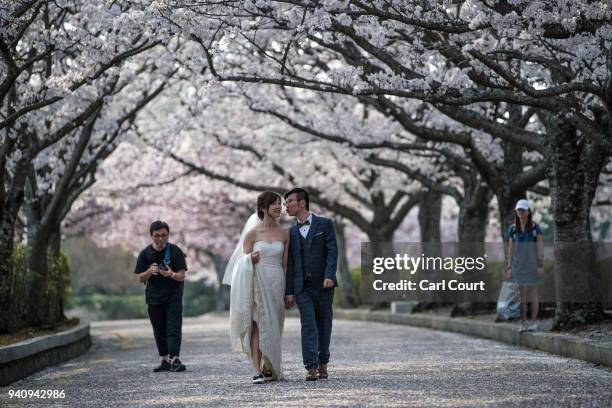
[320,255]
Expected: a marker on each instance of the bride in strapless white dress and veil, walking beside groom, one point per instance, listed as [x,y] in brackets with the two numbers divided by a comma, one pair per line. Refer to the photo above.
[256,273]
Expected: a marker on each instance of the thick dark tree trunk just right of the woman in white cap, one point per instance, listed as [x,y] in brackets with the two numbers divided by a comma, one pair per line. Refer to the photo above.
[573,169]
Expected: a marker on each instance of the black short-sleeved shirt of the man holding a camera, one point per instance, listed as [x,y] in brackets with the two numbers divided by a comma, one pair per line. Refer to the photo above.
[161,290]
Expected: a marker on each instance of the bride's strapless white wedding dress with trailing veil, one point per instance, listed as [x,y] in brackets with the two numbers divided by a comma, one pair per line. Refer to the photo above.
[257,295]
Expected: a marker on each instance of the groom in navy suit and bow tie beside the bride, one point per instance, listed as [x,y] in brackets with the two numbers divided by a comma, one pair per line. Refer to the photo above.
[311,278]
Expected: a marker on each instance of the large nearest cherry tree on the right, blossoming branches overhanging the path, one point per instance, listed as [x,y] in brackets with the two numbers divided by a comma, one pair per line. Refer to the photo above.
[545,64]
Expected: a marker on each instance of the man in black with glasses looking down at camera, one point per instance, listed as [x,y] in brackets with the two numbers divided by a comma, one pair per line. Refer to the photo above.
[161,266]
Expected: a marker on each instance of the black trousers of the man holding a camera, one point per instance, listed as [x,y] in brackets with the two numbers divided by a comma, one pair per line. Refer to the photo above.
[167,322]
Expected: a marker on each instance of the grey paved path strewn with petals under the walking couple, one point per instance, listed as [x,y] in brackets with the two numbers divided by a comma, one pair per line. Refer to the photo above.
[374,364]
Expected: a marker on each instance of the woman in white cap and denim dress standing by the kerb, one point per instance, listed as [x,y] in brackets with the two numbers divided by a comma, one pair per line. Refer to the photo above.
[526,261]
